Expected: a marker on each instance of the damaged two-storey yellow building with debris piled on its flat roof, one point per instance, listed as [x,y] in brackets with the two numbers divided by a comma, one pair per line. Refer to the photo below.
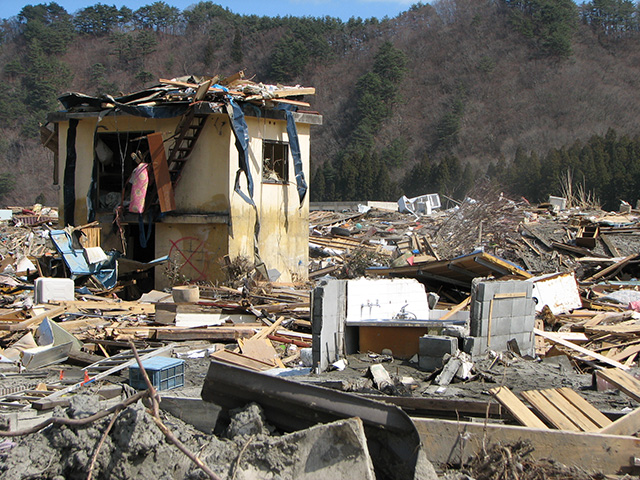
[192,169]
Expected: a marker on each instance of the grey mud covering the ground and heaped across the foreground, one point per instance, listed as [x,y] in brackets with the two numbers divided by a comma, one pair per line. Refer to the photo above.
[136,448]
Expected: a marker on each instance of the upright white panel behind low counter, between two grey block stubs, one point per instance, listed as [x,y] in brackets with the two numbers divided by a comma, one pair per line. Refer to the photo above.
[383,299]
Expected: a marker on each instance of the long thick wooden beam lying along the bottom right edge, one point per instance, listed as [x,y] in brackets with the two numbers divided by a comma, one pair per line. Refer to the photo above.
[451,442]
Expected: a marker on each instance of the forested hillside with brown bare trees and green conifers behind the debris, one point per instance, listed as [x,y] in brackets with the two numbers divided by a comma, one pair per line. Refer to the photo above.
[522,91]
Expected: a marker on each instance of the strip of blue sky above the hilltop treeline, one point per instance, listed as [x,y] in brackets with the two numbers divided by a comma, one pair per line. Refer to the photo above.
[314,8]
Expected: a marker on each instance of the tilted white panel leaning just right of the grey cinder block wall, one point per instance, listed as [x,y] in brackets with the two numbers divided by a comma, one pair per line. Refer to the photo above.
[559,291]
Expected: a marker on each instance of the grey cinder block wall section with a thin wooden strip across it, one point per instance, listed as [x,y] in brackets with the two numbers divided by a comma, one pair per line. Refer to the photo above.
[501,311]
